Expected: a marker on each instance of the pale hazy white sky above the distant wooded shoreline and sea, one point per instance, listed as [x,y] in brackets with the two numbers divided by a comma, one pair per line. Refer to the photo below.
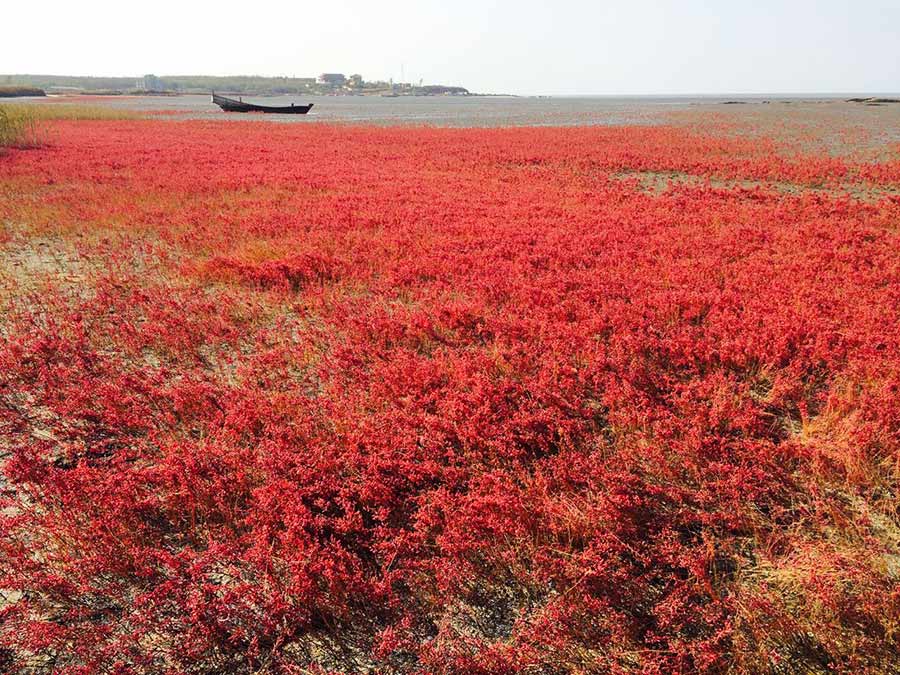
[514,46]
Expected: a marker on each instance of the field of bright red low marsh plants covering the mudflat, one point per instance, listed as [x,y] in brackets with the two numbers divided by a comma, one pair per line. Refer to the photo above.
[336,399]
